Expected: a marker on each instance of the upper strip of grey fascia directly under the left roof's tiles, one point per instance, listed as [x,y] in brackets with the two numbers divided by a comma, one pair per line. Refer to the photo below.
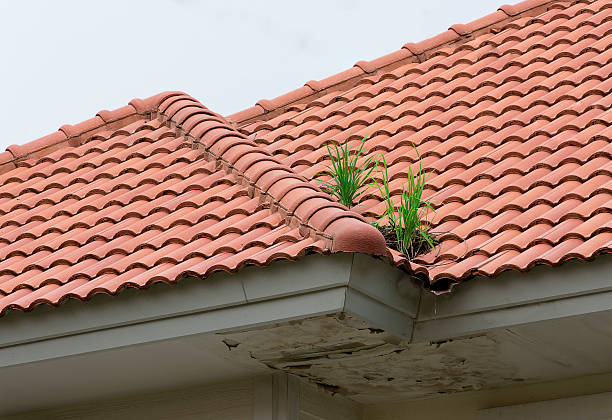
[189,296]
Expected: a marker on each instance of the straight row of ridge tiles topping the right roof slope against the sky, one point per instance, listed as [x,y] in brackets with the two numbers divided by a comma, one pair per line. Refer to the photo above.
[410,52]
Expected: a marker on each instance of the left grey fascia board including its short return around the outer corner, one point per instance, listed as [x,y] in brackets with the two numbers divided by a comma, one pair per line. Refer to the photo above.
[255,296]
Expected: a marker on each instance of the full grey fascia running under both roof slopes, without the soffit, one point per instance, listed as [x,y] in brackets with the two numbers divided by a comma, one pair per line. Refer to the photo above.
[365,288]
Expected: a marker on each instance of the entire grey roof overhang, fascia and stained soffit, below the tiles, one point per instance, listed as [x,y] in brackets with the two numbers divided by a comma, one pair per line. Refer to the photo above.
[351,310]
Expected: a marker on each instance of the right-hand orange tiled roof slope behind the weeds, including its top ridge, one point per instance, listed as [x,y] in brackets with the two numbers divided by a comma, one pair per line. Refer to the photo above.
[513,123]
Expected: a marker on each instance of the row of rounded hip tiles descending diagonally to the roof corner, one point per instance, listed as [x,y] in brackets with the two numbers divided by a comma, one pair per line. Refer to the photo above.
[347,230]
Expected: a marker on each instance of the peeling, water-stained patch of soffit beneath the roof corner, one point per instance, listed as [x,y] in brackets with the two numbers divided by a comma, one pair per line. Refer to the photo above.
[351,357]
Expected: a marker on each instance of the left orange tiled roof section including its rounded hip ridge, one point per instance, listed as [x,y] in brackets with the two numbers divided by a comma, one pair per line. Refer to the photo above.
[126,199]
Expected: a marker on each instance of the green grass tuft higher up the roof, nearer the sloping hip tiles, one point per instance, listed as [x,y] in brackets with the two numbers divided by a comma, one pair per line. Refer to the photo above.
[348,180]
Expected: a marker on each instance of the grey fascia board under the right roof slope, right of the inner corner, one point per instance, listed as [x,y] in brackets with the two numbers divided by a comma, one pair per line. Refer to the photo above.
[545,293]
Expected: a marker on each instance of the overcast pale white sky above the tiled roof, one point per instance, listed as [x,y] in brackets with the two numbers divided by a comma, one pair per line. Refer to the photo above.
[65,60]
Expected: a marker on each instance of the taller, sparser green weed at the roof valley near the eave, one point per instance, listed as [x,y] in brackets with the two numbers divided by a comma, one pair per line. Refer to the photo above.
[408,228]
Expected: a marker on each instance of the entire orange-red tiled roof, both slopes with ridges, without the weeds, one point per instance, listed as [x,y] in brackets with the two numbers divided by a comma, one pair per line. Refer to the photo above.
[510,113]
